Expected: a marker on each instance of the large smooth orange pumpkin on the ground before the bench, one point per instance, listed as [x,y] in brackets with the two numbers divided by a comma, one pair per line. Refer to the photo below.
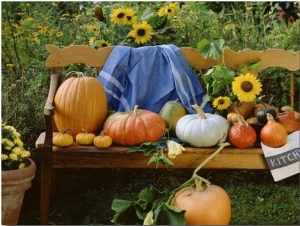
[210,206]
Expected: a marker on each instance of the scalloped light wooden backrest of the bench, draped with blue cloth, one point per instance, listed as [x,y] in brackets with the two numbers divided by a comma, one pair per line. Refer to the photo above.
[60,58]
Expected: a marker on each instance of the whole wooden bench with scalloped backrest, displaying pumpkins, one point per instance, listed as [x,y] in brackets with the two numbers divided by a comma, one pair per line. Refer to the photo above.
[76,156]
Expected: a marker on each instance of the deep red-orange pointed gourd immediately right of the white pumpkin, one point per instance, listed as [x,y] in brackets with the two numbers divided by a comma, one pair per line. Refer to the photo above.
[241,134]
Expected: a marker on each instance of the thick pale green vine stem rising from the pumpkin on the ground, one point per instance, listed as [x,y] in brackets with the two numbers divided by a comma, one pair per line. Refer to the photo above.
[195,177]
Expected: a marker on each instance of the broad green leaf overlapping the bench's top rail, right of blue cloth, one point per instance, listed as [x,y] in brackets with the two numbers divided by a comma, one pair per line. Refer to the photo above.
[212,49]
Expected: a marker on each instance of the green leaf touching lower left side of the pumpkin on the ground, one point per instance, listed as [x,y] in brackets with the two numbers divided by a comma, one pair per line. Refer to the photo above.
[169,215]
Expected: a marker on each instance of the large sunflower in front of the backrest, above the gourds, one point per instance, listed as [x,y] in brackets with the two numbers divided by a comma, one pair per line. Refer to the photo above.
[246,87]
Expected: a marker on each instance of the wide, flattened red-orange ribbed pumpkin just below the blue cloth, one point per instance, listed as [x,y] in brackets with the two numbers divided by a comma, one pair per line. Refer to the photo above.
[134,127]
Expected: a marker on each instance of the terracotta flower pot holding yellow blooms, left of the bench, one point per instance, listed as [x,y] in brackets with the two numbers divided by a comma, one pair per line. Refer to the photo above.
[14,185]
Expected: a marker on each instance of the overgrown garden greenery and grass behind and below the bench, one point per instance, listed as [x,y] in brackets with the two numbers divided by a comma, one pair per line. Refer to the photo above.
[85,196]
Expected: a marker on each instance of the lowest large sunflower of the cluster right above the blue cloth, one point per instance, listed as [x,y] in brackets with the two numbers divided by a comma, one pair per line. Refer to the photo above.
[141,32]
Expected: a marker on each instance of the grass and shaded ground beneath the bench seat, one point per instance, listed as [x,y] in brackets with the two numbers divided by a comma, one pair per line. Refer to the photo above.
[84,196]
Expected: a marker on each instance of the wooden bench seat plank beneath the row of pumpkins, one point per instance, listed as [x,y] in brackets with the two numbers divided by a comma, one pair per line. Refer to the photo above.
[229,158]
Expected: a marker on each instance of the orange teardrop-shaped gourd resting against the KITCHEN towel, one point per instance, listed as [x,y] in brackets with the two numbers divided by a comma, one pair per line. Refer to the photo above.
[273,134]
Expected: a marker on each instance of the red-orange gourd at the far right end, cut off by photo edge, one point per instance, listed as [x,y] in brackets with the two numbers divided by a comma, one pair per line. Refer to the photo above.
[288,120]
